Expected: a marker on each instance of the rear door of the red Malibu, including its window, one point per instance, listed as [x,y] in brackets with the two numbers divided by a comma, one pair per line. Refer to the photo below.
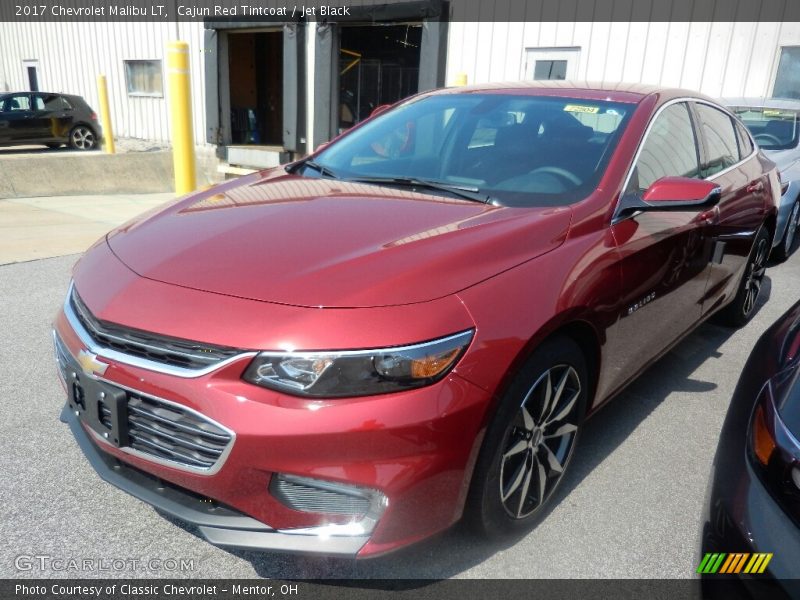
[729,159]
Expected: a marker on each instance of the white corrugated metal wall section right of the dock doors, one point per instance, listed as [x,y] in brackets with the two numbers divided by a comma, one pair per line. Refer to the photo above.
[719,59]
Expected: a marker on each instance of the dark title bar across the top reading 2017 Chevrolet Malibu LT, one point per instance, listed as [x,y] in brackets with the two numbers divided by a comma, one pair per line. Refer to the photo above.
[380,10]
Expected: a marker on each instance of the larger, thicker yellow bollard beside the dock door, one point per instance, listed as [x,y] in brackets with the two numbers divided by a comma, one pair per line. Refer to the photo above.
[180,105]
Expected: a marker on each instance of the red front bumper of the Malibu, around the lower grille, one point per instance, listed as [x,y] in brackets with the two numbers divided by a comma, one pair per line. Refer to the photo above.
[416,448]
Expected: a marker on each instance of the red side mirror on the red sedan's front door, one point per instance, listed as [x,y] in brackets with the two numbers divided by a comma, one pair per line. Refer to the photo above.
[670,194]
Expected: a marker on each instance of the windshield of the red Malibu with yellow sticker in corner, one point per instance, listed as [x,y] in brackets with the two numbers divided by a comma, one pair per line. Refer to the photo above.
[512,150]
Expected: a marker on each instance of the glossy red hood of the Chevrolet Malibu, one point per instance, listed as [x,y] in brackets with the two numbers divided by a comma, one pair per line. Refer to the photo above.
[329,243]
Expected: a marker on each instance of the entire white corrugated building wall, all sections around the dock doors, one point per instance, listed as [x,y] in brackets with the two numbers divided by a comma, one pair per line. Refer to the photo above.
[720,59]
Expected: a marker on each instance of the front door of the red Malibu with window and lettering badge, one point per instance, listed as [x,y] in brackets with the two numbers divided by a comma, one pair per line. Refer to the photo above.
[663,255]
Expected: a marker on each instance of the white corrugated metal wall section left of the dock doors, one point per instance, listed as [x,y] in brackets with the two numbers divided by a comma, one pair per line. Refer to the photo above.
[71,55]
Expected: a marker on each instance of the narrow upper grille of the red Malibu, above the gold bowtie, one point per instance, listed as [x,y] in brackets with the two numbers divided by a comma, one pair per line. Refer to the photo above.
[166,350]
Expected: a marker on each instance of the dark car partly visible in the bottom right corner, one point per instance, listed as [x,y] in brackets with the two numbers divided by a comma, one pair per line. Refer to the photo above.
[752,513]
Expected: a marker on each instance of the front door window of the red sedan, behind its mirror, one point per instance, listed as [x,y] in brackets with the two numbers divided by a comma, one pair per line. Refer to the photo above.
[670,150]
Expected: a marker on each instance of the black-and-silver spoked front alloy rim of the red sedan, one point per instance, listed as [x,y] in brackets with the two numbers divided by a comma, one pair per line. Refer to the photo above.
[540,442]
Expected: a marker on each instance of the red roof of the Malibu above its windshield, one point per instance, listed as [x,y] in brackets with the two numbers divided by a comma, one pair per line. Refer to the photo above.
[615,92]
